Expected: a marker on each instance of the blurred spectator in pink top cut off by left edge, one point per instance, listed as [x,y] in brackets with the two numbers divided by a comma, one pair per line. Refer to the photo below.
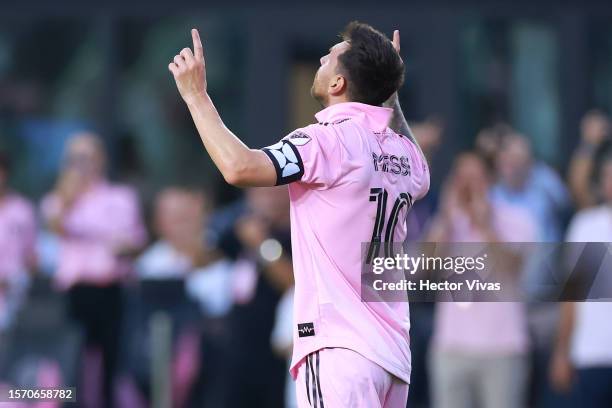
[17,245]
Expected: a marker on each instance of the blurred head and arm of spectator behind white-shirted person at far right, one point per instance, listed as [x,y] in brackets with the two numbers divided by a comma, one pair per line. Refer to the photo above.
[595,129]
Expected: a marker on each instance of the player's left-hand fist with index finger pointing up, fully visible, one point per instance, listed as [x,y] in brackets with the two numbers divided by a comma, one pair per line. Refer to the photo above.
[189,70]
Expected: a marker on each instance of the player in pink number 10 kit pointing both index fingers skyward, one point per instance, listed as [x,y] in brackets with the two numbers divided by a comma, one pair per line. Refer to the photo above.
[352,177]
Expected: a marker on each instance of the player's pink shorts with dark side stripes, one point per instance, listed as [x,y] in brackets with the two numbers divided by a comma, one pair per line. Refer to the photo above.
[339,377]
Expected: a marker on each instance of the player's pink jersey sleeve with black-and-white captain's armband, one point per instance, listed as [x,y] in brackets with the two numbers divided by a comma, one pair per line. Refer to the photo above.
[307,155]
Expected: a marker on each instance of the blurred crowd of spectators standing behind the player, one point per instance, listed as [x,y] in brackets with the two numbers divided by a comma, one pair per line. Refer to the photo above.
[192,305]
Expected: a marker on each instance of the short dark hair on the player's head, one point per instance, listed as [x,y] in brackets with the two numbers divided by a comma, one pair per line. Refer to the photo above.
[372,66]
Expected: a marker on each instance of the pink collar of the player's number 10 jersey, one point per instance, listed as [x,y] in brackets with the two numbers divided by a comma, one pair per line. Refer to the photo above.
[377,117]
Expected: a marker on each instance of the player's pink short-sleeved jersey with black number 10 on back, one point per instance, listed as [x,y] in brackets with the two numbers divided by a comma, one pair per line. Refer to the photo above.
[343,170]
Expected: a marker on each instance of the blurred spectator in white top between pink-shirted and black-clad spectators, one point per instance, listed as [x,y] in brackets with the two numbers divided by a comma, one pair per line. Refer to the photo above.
[182,252]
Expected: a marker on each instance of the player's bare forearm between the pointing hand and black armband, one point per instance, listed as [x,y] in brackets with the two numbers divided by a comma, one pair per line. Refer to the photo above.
[228,152]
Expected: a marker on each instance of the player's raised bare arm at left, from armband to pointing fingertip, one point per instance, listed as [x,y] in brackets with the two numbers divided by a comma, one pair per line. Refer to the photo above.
[239,165]
